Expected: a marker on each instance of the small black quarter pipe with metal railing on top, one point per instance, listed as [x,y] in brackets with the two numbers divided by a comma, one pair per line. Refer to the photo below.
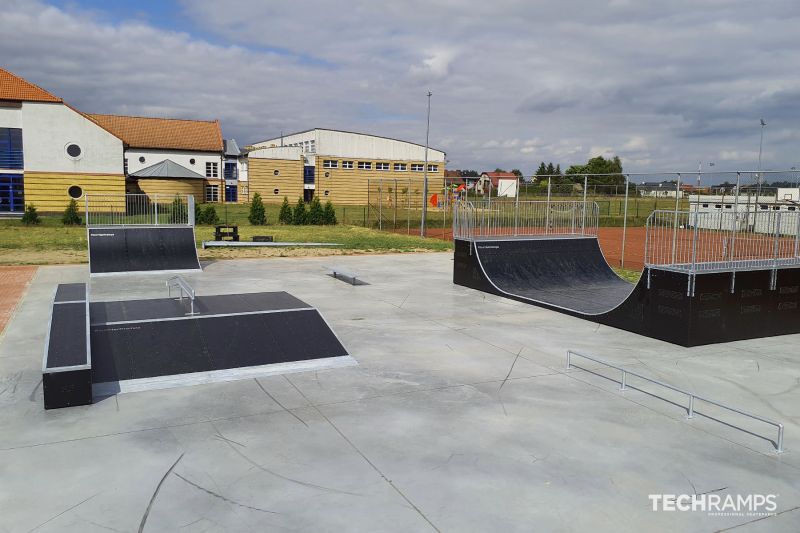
[137,233]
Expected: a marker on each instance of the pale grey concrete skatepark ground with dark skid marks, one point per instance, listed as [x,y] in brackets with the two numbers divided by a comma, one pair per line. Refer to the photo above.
[459,417]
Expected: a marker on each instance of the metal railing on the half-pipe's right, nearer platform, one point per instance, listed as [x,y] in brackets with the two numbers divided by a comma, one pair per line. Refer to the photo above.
[737,239]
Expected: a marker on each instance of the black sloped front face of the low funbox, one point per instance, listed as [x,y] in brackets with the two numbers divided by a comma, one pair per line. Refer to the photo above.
[164,348]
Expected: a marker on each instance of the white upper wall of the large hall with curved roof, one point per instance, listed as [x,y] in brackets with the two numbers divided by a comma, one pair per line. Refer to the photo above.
[358,145]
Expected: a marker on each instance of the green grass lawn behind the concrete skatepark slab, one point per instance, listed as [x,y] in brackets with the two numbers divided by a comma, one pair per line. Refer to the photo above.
[52,243]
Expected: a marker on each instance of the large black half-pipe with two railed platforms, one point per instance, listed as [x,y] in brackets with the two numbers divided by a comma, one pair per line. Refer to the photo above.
[683,302]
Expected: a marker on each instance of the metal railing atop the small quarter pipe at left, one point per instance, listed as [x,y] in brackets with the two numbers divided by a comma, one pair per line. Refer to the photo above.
[139,210]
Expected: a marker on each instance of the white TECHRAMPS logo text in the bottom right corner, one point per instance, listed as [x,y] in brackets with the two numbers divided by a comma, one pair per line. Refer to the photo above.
[750,505]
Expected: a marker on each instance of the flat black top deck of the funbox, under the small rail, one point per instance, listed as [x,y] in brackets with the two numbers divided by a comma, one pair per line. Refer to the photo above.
[121,311]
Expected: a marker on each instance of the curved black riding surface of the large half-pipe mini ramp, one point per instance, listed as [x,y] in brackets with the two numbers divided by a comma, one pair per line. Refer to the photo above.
[569,273]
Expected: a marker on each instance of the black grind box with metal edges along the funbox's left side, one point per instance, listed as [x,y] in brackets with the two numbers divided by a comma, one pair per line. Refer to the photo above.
[67,362]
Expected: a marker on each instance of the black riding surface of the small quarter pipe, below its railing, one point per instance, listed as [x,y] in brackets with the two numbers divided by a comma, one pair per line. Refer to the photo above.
[141,249]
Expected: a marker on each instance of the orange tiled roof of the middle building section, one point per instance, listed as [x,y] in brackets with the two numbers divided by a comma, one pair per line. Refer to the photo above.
[163,133]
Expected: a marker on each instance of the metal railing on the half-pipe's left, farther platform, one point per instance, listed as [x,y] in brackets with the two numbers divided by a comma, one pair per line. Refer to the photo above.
[512,218]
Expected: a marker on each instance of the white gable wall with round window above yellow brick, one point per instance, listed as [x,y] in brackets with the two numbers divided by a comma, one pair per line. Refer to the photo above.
[47,129]
